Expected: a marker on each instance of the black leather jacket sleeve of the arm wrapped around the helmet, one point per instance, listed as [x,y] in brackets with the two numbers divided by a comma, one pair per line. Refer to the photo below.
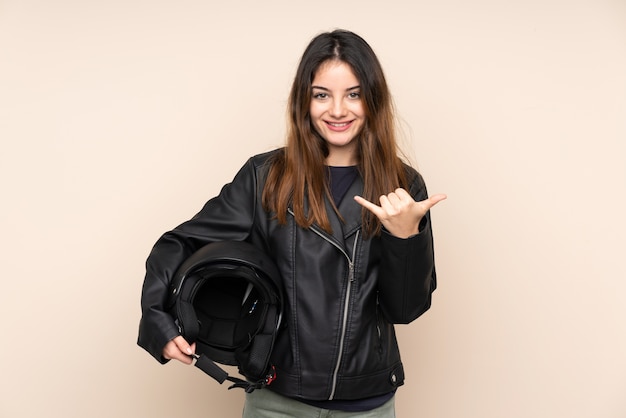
[229,216]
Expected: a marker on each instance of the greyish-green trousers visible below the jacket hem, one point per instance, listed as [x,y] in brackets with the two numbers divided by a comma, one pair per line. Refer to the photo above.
[265,403]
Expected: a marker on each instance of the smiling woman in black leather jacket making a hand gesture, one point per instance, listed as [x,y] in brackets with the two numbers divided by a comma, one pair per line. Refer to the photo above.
[351,268]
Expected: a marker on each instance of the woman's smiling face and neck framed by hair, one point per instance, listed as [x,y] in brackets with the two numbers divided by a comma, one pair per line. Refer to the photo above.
[337,111]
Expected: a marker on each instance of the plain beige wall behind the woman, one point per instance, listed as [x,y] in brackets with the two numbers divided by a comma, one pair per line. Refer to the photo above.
[118,119]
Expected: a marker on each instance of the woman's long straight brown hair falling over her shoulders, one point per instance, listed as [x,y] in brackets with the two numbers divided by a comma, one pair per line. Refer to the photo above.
[297,174]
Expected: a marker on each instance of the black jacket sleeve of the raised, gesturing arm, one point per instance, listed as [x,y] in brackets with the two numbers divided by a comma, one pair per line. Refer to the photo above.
[407,269]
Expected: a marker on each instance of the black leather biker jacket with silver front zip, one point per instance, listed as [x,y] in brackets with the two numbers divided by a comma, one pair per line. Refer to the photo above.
[343,293]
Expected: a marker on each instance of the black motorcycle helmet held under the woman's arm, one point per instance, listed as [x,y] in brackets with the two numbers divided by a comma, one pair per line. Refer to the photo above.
[226,297]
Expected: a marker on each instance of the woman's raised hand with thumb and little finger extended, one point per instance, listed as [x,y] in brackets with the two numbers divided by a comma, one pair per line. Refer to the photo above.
[399,213]
